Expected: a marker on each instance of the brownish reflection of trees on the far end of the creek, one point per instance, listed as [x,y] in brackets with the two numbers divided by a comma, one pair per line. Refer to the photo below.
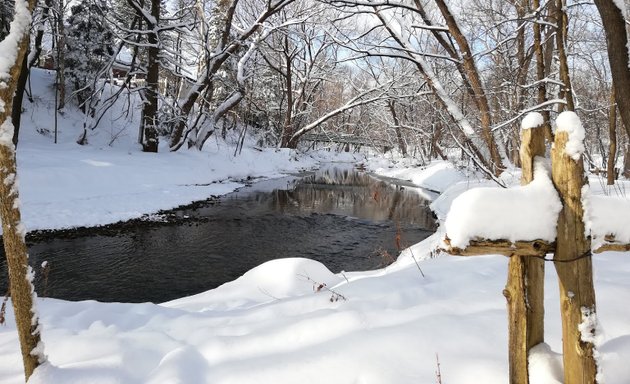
[354,194]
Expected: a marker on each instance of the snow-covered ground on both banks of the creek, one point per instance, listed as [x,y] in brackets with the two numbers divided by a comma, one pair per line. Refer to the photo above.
[278,323]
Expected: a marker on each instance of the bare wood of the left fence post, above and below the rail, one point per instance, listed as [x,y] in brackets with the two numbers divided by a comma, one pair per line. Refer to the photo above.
[524,290]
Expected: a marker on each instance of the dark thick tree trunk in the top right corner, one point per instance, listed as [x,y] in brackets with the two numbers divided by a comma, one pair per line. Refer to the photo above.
[616,41]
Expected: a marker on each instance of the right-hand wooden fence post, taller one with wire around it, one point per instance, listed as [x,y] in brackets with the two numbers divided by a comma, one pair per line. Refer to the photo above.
[573,264]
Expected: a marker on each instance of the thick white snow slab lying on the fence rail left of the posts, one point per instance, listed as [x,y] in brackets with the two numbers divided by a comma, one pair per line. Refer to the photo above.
[525,213]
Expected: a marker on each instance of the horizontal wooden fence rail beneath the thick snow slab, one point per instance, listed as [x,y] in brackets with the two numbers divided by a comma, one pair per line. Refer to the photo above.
[501,247]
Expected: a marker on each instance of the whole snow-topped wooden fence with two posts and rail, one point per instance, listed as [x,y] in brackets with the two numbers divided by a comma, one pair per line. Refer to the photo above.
[546,215]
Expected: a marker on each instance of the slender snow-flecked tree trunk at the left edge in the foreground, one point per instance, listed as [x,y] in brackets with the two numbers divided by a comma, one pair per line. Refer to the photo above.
[20,274]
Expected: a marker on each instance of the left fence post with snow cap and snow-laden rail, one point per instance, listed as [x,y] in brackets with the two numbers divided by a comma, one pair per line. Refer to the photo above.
[533,209]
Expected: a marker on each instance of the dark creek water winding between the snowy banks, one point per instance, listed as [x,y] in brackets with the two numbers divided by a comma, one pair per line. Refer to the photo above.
[343,218]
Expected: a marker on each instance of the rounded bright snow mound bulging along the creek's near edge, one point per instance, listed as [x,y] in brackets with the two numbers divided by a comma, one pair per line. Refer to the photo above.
[273,280]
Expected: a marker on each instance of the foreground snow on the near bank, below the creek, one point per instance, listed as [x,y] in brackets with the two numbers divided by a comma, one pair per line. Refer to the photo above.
[263,328]
